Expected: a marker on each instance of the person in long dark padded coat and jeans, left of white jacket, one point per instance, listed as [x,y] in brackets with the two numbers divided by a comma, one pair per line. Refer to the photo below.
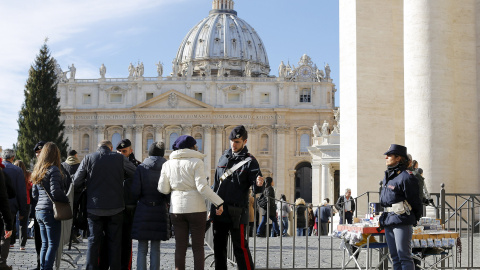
[150,221]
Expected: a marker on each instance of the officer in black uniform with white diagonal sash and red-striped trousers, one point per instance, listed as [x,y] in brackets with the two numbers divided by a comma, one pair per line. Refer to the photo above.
[233,187]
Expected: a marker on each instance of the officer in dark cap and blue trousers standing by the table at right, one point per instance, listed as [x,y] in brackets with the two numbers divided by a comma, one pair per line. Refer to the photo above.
[402,207]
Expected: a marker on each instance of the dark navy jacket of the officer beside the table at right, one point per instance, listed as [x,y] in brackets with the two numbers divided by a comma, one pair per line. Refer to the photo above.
[400,185]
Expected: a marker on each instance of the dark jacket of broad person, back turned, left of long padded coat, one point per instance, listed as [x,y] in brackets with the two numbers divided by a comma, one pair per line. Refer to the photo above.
[103,171]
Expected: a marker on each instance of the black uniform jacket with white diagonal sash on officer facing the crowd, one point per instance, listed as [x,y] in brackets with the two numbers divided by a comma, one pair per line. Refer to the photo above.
[235,188]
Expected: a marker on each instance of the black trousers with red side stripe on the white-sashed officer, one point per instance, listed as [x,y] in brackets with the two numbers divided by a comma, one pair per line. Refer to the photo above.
[240,245]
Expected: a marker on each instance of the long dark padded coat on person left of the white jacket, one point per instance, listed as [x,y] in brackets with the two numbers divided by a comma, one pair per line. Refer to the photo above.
[150,220]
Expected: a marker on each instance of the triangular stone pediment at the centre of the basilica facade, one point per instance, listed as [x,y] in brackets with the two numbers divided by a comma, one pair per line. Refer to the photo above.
[172,99]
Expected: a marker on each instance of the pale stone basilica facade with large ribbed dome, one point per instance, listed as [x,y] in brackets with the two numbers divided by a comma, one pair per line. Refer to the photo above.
[220,79]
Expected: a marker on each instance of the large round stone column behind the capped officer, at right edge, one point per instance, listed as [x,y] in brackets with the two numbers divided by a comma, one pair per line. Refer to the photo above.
[441,131]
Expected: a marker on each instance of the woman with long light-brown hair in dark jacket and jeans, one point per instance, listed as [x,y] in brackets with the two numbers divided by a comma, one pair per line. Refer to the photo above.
[48,185]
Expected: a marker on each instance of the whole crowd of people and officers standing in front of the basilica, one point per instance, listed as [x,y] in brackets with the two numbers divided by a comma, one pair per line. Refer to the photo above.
[127,199]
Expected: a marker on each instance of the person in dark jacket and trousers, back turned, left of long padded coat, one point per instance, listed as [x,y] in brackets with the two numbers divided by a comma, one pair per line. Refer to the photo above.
[103,172]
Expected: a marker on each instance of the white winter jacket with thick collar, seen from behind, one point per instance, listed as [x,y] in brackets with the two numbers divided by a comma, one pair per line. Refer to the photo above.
[184,176]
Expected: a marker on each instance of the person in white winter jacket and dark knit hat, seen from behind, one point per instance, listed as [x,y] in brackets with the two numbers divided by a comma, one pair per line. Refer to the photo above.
[184,177]
